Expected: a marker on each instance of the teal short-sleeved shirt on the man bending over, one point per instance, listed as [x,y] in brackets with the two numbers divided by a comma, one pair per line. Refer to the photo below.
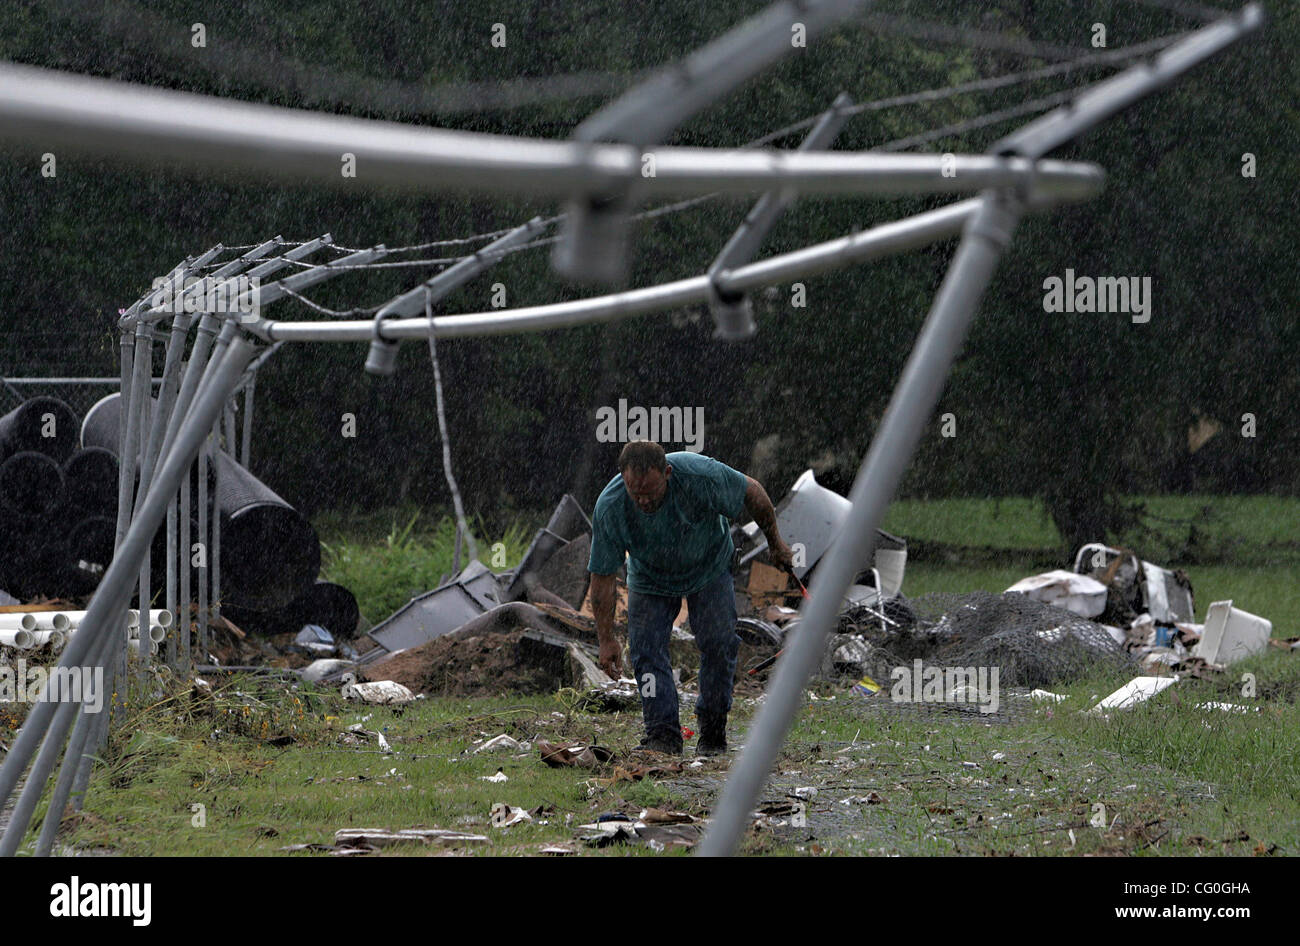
[682,546]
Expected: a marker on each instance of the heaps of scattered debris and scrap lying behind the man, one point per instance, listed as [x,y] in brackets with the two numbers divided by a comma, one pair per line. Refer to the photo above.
[532,631]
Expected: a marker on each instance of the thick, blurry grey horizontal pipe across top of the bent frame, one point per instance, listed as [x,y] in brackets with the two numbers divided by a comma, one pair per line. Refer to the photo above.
[119,120]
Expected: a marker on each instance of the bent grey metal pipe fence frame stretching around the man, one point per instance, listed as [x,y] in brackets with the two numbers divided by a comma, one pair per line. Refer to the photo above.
[1012,181]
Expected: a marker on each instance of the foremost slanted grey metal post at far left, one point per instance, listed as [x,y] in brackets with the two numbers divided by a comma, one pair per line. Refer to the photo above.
[47,724]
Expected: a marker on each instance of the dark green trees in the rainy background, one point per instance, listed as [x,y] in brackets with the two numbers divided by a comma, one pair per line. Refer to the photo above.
[1074,409]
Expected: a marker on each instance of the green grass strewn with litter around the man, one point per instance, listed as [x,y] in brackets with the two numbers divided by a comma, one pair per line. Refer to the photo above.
[268,767]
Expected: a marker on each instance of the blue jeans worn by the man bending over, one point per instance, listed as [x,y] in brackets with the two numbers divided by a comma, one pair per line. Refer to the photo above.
[713,622]
